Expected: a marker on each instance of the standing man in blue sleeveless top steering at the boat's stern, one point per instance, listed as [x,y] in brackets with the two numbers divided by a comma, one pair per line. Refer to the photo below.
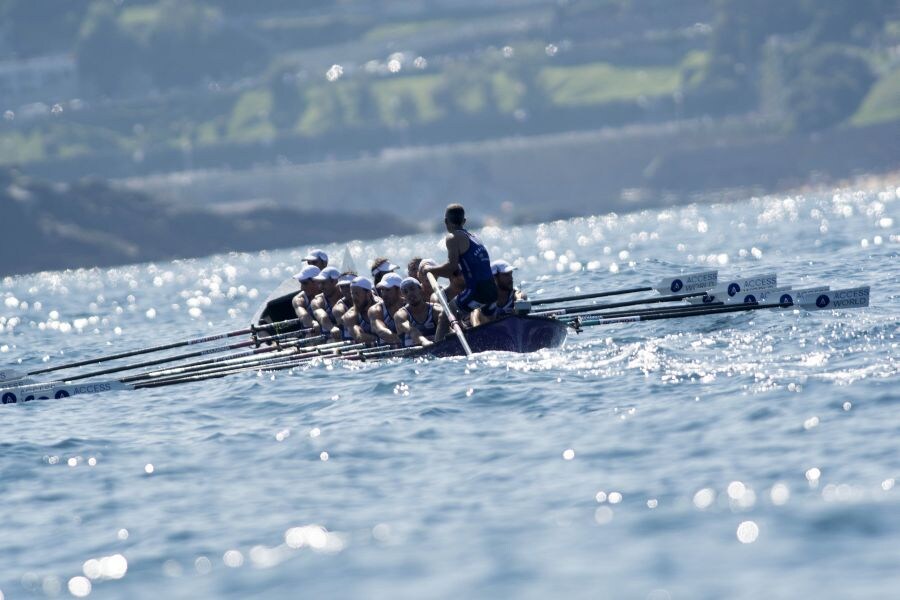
[466,252]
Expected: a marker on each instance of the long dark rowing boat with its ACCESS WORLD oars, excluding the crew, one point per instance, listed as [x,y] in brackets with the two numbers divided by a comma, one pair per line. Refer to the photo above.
[274,342]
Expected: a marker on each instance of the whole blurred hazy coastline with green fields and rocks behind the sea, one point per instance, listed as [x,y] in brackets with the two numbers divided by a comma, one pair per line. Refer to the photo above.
[157,129]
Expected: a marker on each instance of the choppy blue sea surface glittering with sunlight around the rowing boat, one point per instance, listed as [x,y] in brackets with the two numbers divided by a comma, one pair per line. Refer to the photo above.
[738,456]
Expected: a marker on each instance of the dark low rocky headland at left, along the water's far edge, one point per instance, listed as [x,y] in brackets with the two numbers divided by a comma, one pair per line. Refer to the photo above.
[86,224]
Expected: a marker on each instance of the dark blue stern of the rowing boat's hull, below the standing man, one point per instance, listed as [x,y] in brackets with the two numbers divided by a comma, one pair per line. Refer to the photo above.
[513,333]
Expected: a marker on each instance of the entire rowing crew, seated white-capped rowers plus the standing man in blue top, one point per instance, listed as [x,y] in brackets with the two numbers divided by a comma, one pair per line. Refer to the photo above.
[390,310]
